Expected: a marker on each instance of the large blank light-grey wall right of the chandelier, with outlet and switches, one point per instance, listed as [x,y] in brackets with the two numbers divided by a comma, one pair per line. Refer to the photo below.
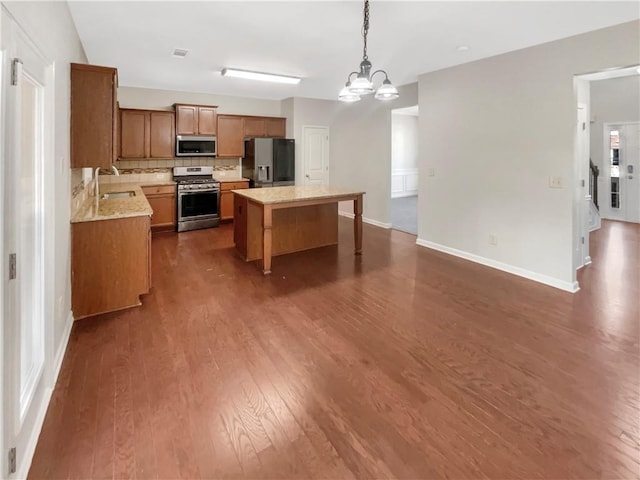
[494,131]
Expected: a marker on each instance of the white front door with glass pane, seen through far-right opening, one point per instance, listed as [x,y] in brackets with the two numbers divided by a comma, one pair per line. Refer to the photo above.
[622,157]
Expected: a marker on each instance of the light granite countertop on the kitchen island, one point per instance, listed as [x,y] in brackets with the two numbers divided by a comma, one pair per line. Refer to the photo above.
[292,194]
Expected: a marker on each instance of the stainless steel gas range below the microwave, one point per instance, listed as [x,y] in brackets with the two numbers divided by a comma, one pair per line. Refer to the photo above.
[198,198]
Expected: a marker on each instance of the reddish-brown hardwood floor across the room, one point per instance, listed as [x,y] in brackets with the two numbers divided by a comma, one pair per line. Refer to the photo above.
[403,363]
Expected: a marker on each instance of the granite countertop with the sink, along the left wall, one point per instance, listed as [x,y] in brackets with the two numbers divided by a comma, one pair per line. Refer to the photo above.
[113,208]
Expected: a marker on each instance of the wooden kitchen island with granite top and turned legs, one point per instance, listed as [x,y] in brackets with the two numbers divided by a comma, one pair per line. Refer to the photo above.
[279,220]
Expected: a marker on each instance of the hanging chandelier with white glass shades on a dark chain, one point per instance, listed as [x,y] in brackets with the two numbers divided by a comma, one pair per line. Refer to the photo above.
[363,84]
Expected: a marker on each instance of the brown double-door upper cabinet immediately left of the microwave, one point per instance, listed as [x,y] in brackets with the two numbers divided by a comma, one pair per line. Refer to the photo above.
[147,134]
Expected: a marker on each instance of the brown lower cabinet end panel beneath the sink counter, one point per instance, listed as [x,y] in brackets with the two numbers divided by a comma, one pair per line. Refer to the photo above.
[110,264]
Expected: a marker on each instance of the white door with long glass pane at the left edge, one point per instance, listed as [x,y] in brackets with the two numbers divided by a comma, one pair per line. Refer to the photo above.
[24,382]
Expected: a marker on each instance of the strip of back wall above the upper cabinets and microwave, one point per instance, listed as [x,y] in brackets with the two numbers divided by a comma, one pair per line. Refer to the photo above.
[152,99]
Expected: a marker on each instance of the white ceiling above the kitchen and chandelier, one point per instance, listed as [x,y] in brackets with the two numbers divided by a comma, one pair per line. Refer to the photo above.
[317,40]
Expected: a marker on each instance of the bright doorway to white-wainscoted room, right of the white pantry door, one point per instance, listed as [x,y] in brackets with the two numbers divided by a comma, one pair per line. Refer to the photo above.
[404,169]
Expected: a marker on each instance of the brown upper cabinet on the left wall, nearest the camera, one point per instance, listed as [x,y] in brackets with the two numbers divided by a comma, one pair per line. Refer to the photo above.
[94,116]
